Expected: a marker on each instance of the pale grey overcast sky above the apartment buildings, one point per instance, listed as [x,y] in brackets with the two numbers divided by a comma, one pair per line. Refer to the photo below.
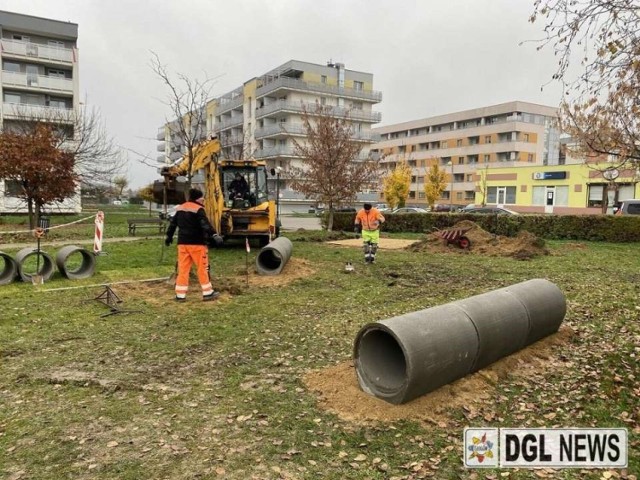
[428,57]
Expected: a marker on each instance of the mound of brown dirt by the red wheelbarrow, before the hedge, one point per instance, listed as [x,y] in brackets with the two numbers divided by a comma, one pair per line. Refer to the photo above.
[522,247]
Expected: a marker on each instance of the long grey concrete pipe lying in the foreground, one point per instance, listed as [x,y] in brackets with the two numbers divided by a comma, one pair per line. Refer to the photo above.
[404,357]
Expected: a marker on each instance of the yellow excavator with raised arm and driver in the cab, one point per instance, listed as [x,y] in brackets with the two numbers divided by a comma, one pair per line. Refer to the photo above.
[233,212]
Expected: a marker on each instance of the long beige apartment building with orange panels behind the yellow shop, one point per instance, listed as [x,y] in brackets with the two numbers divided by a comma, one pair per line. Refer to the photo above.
[509,134]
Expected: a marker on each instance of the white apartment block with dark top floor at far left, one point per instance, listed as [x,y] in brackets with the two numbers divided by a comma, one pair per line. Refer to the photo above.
[38,80]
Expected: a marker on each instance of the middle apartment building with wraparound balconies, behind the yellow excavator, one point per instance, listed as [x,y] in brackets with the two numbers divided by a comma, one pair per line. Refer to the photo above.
[259,118]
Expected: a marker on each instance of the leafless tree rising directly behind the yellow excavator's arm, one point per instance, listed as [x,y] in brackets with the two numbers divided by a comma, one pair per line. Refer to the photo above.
[187,100]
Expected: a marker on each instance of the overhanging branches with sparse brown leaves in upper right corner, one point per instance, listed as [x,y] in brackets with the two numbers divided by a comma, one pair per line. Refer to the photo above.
[601,106]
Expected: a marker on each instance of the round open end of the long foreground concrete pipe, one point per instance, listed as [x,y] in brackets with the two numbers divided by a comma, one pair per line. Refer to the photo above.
[382,362]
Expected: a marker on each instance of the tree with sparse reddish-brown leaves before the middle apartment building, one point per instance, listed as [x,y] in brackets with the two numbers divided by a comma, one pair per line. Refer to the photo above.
[333,174]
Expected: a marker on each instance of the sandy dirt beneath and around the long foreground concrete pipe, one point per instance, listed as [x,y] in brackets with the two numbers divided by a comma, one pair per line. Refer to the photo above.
[474,395]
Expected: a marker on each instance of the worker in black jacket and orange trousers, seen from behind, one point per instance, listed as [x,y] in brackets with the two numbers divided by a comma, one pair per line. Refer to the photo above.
[194,234]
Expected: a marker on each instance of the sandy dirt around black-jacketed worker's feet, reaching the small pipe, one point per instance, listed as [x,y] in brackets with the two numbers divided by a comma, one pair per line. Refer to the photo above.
[228,286]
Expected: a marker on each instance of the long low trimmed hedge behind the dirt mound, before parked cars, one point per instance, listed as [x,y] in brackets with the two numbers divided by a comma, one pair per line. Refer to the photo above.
[606,228]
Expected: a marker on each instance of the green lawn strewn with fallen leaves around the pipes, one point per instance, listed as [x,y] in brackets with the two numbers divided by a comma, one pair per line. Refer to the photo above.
[185,391]
